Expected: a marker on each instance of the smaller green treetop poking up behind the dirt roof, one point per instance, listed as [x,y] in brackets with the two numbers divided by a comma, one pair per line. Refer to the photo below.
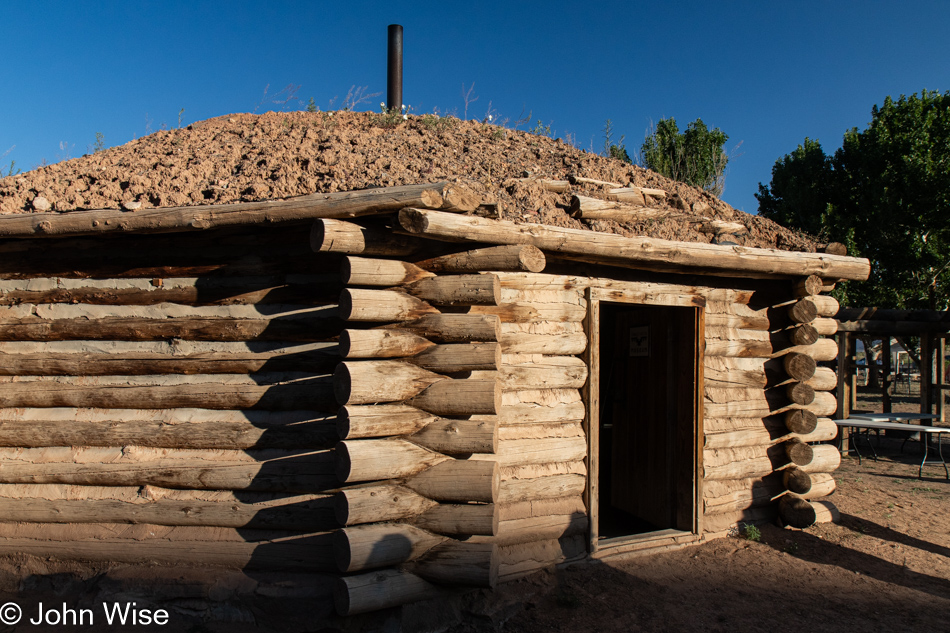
[695,156]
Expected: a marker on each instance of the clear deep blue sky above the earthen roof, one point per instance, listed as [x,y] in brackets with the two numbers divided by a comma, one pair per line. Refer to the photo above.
[768,74]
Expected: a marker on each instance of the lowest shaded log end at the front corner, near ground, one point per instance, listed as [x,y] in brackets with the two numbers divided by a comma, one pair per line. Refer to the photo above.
[381,589]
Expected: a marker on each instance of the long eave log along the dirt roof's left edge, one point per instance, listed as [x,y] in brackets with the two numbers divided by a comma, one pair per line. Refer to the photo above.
[178,219]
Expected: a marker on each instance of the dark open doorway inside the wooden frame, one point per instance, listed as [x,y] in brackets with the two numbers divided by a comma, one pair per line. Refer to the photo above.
[648,401]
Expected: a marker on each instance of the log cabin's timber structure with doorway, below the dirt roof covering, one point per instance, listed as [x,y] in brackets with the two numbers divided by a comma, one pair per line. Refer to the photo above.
[390,391]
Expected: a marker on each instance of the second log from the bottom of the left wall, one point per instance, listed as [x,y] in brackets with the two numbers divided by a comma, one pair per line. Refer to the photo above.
[57,503]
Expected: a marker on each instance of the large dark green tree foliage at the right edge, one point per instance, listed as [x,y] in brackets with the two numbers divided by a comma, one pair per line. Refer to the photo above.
[885,193]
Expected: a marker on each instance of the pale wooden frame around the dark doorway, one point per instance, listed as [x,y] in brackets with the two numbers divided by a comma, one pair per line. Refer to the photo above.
[662,538]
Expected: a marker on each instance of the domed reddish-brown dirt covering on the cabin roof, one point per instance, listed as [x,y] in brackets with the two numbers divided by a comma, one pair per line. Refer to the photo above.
[246,157]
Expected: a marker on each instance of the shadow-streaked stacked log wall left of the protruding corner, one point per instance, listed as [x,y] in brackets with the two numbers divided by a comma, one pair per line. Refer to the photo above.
[169,398]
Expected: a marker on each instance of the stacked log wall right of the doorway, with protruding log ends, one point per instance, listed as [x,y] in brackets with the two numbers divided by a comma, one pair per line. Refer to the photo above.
[768,409]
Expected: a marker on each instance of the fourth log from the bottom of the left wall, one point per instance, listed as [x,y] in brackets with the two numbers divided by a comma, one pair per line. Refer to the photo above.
[176,428]
